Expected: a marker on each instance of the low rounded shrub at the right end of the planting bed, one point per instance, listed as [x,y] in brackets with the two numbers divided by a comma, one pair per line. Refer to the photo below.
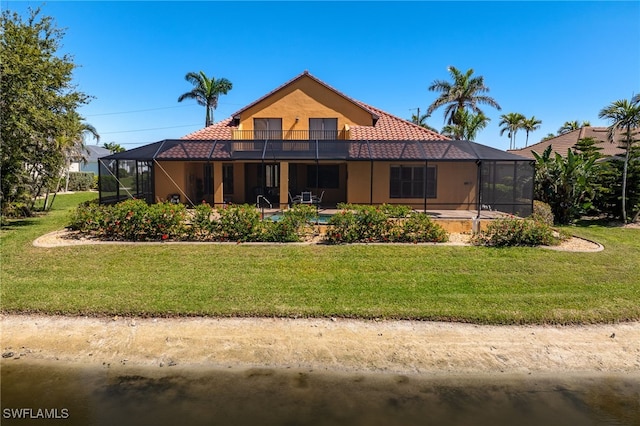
[516,232]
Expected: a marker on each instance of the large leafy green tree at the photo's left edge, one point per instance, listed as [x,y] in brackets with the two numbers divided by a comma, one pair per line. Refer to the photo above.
[38,106]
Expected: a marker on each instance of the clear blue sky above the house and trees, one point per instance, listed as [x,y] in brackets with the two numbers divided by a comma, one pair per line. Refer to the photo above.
[559,61]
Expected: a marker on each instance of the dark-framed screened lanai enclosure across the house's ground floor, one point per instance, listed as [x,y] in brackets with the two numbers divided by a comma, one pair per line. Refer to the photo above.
[445,175]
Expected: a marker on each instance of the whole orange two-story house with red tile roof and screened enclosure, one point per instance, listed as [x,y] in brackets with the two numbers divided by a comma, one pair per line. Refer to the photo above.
[307,136]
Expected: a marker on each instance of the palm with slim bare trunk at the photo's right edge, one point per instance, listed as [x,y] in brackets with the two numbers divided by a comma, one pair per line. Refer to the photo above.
[624,116]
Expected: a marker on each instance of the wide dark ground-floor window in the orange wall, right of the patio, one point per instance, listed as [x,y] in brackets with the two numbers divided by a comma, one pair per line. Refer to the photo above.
[409,182]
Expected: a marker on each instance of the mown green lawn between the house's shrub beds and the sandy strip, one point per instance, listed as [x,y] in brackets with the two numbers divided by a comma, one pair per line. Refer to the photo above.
[470,284]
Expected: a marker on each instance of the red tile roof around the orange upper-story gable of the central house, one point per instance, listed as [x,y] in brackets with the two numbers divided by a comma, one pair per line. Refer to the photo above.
[386,127]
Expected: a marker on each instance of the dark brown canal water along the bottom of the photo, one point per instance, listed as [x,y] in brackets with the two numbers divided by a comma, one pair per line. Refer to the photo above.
[47,393]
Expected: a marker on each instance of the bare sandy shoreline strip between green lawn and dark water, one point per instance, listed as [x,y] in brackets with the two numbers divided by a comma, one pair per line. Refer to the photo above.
[323,344]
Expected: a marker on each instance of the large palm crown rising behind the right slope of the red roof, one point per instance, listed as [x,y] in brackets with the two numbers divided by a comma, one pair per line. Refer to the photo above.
[464,92]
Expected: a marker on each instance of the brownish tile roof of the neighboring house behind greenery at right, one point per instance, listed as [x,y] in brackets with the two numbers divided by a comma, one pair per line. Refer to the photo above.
[562,143]
